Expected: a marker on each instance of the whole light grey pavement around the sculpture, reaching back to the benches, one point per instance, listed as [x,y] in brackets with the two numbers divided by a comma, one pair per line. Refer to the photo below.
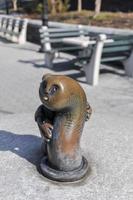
[107,140]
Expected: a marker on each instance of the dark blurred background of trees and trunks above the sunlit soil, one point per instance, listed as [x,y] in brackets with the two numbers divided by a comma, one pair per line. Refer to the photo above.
[60,6]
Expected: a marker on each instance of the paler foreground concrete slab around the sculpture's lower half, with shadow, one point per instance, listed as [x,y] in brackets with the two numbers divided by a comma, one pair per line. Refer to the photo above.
[107,142]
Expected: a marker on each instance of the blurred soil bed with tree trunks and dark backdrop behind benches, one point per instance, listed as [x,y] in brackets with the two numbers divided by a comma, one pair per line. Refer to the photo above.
[109,13]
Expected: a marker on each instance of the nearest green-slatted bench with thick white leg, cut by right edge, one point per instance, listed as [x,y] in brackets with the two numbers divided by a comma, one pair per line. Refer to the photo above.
[120,50]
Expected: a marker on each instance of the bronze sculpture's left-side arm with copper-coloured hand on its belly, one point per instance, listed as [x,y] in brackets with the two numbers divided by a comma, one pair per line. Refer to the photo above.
[44,123]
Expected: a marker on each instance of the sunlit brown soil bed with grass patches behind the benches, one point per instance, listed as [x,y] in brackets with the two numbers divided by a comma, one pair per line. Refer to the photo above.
[104,19]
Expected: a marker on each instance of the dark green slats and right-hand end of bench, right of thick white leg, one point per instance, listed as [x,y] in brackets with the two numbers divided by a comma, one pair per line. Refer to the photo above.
[120,50]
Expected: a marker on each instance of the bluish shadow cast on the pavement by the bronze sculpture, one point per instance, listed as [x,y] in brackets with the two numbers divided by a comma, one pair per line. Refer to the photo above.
[25,146]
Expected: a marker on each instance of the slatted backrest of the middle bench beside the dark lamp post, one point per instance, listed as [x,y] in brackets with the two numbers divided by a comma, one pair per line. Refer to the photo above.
[55,36]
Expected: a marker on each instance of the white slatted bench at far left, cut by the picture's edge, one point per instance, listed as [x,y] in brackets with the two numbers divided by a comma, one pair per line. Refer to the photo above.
[13,29]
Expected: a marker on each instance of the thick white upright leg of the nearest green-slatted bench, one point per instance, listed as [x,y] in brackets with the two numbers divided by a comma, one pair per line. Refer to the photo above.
[92,68]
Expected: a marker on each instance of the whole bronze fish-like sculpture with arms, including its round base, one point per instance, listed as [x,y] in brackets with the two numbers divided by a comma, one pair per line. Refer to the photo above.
[61,118]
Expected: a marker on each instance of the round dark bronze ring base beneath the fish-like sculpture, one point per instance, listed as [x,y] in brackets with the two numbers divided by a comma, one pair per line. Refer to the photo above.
[64,176]
